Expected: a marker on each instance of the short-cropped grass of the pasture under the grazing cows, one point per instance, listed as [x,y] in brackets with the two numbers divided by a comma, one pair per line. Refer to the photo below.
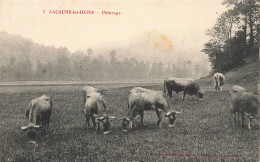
[204,131]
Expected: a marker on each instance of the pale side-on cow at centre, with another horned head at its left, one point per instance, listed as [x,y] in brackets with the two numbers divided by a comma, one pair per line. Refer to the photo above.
[140,100]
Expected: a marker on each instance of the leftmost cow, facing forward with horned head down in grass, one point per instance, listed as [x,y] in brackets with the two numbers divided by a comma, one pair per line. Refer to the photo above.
[38,113]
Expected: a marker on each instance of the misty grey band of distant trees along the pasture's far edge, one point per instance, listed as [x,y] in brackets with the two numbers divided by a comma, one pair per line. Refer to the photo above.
[23,60]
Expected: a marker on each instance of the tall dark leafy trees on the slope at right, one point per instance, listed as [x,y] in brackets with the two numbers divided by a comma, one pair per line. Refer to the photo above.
[235,35]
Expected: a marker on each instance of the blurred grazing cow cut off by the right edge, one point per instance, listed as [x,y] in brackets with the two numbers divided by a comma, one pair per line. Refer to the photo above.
[243,103]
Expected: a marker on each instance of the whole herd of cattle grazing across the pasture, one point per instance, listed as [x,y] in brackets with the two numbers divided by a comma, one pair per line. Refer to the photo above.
[140,99]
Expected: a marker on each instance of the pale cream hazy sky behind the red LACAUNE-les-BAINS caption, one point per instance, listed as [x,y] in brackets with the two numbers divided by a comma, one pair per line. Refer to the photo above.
[165,24]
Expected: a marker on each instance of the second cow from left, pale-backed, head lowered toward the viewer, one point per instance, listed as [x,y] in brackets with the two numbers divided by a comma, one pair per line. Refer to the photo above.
[95,108]
